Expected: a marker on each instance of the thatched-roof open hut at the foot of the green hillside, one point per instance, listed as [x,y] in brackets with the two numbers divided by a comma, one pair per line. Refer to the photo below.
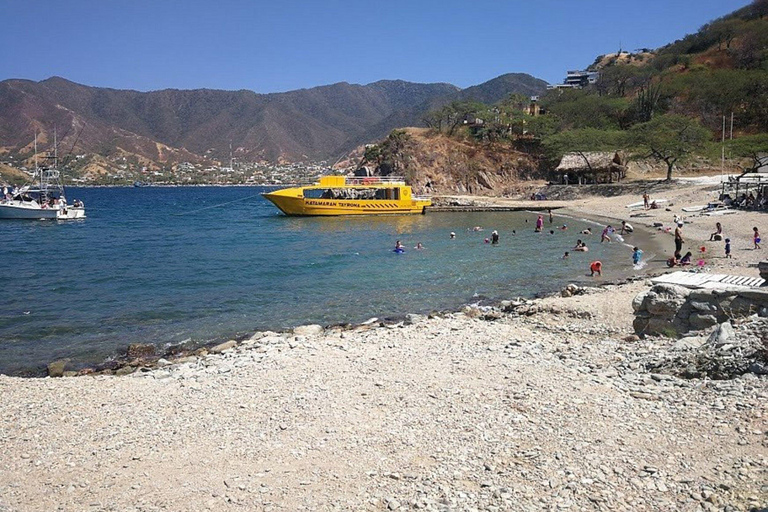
[591,167]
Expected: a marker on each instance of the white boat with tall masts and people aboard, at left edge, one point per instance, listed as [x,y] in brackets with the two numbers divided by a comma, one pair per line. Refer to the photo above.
[43,198]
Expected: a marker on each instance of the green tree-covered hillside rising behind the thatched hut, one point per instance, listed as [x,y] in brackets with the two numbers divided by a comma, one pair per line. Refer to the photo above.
[667,104]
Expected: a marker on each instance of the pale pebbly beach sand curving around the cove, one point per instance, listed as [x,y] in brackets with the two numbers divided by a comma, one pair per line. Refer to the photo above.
[548,411]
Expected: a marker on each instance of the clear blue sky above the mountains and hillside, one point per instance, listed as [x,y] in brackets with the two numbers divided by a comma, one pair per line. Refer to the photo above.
[280,45]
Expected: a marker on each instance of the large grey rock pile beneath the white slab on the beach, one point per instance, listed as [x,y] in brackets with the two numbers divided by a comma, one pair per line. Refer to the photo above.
[672,310]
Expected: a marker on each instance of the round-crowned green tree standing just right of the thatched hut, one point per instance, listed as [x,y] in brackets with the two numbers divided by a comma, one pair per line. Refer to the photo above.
[669,138]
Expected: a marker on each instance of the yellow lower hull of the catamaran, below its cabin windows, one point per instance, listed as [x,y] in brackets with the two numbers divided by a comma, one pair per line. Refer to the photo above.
[315,207]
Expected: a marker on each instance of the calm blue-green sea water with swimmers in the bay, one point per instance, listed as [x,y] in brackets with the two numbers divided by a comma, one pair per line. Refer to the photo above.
[167,265]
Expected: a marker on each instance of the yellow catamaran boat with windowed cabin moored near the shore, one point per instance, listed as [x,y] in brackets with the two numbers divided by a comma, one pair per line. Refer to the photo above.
[341,195]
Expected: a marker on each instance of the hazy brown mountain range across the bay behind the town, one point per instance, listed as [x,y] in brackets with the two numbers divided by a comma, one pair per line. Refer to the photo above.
[320,123]
